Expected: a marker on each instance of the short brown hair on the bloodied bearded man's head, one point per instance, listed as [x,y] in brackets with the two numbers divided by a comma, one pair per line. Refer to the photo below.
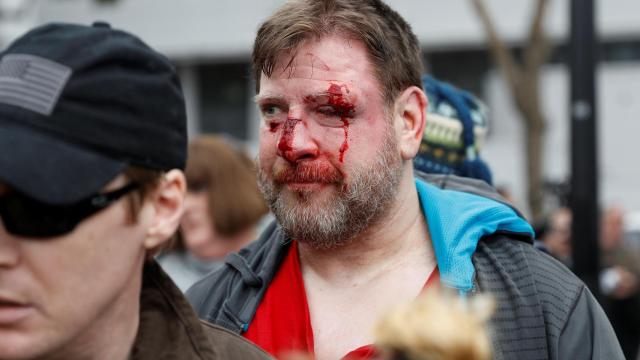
[392,46]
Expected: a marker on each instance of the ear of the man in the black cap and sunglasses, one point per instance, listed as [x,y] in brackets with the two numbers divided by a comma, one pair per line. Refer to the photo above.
[168,204]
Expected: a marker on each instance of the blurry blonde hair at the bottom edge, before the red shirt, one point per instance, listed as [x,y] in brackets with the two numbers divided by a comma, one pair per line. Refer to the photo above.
[436,326]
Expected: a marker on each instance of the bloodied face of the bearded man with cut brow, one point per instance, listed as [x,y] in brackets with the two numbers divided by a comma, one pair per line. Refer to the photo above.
[329,162]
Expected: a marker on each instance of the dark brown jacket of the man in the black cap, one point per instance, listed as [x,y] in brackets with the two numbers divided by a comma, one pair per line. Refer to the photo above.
[169,329]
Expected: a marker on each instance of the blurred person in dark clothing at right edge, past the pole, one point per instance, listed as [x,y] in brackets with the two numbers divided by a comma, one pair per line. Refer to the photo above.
[620,280]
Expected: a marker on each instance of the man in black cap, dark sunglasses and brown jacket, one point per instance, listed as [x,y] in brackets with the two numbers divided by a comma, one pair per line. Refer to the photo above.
[92,143]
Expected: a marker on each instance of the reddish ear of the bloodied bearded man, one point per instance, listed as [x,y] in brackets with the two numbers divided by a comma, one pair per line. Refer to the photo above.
[410,115]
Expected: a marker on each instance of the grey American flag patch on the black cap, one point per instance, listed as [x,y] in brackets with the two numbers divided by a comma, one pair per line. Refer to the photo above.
[32,82]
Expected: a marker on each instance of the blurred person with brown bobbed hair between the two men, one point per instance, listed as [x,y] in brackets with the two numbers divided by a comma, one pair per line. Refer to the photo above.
[222,210]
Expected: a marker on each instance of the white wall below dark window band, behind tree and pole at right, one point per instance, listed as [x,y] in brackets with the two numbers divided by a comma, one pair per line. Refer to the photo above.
[618,132]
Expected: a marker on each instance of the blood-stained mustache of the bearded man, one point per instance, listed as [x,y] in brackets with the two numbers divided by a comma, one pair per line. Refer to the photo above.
[307,173]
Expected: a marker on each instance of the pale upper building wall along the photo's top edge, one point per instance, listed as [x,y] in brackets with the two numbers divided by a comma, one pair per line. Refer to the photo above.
[192,29]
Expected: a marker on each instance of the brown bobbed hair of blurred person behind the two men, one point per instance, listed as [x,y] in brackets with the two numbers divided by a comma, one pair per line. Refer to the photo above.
[229,177]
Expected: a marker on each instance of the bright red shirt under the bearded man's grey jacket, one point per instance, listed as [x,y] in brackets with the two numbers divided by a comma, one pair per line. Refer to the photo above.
[282,322]
